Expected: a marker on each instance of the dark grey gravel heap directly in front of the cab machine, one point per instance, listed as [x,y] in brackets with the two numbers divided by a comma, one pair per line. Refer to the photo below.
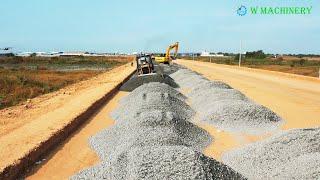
[136,81]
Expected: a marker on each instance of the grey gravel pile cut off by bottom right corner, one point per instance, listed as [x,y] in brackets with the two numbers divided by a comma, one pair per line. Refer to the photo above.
[293,154]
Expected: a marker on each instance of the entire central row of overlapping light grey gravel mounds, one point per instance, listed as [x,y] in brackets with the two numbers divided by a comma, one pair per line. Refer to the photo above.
[153,138]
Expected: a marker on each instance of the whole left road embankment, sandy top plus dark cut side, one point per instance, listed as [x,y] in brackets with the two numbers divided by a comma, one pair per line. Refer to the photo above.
[30,132]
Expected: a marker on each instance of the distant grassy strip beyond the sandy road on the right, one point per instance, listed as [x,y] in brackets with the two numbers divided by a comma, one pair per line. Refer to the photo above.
[299,66]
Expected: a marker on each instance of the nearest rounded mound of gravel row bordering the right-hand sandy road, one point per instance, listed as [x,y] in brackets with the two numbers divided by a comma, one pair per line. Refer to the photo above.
[240,116]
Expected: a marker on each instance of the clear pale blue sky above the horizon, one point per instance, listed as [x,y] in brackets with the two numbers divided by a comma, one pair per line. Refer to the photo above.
[151,25]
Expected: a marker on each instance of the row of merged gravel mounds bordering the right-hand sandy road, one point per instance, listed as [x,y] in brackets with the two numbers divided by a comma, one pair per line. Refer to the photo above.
[224,107]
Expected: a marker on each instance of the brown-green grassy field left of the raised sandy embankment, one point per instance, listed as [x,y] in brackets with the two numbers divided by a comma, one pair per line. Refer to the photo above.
[29,77]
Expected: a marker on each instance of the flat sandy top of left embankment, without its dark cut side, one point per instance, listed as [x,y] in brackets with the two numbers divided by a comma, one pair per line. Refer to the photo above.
[24,127]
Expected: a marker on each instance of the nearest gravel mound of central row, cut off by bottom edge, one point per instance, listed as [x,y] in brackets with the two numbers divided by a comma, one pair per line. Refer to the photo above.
[165,162]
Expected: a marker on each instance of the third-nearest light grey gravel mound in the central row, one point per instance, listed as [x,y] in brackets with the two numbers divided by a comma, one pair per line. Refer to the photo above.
[152,100]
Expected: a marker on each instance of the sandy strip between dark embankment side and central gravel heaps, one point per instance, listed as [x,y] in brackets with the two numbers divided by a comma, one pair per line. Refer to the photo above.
[75,154]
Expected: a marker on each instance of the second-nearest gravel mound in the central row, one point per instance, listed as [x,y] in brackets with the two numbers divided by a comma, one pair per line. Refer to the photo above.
[154,128]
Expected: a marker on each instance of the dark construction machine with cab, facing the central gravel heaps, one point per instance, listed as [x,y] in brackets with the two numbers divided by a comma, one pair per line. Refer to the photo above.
[144,64]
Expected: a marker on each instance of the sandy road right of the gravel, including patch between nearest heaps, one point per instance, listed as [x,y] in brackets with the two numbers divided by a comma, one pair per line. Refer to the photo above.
[295,98]
